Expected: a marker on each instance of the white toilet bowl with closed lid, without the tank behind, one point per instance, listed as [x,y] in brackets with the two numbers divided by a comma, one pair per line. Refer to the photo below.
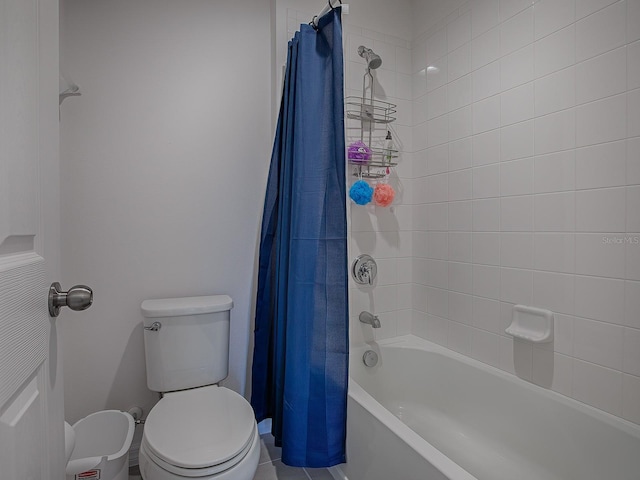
[205,433]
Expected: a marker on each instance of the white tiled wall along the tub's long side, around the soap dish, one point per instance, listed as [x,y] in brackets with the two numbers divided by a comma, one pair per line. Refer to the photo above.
[526,188]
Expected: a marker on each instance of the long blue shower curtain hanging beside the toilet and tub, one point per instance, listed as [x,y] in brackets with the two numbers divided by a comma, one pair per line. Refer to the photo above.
[300,358]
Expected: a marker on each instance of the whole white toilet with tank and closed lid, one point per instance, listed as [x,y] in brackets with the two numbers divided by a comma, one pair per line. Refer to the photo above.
[198,429]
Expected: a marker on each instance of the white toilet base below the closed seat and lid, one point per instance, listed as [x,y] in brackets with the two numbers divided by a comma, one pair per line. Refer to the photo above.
[244,470]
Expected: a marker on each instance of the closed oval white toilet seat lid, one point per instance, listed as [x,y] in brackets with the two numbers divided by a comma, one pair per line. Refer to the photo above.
[199,428]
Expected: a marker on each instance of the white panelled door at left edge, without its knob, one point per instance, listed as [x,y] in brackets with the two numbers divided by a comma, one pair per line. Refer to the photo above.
[31,401]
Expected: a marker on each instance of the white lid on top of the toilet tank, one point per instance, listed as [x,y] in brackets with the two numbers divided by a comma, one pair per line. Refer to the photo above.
[174,307]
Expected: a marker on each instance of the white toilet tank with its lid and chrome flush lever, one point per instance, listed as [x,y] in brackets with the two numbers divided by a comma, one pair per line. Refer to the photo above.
[190,346]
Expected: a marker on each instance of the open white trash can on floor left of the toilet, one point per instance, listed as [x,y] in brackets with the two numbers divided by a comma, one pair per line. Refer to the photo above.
[101,450]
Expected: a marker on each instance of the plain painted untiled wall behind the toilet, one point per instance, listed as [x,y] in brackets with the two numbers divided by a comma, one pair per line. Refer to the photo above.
[164,162]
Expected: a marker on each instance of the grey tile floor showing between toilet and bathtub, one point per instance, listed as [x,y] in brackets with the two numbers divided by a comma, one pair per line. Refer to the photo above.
[270,467]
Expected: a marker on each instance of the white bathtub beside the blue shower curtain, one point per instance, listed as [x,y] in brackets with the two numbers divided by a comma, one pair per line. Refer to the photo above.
[426,413]
